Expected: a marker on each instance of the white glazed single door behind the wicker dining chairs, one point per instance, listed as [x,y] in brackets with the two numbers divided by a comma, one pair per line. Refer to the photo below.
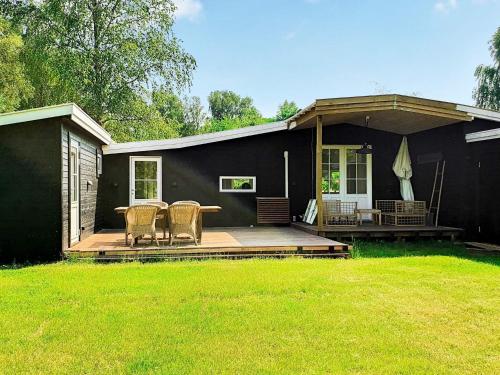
[145,179]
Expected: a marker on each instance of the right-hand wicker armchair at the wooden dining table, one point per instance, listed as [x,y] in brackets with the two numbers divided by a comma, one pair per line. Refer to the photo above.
[183,217]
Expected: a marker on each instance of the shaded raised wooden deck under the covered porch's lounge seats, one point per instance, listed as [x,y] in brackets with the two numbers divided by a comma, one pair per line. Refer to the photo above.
[369,230]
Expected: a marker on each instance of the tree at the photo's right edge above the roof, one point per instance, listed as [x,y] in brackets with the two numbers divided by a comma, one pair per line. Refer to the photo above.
[487,93]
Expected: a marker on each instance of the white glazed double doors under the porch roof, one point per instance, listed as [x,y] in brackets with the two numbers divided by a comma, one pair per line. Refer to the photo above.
[347,175]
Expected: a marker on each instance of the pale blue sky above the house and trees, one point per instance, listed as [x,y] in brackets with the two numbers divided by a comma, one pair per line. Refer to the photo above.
[302,50]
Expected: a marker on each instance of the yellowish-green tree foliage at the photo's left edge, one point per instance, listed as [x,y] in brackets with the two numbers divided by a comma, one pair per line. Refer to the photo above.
[14,87]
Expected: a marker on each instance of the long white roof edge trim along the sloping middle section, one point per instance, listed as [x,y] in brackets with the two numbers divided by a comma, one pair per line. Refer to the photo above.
[195,140]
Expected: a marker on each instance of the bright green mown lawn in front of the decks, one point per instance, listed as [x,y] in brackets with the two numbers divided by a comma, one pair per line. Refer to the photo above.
[379,313]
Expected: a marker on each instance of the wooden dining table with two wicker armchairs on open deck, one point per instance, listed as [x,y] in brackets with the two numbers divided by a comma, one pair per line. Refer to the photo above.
[182,218]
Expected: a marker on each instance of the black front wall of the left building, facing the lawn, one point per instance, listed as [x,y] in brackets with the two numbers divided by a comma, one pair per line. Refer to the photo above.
[30,199]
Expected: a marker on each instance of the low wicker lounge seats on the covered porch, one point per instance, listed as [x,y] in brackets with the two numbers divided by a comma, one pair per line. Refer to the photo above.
[388,212]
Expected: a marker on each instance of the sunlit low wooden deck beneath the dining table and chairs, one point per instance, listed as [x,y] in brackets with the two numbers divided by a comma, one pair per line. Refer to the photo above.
[216,242]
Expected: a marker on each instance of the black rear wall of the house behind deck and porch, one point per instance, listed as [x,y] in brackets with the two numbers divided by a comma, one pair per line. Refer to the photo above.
[193,173]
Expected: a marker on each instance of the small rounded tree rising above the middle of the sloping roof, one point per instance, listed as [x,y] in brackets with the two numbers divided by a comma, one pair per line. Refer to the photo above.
[229,105]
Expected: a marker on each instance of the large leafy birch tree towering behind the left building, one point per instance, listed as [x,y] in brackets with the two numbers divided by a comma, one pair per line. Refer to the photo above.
[102,54]
